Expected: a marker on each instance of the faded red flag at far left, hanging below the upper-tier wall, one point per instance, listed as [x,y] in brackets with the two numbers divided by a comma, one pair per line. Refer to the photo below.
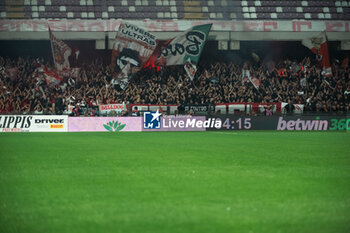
[60,52]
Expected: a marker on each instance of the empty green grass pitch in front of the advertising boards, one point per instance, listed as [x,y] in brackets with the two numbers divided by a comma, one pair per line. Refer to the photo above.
[177,182]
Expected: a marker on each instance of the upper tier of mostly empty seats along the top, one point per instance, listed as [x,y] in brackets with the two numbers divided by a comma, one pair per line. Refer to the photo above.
[171,9]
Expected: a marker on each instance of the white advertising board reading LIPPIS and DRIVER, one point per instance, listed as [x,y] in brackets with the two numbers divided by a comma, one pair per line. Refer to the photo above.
[33,123]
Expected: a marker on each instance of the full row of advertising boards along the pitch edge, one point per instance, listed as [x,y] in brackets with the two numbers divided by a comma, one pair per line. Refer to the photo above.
[154,121]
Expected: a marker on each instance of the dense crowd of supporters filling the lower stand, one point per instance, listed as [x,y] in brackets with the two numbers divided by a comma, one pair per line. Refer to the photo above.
[301,82]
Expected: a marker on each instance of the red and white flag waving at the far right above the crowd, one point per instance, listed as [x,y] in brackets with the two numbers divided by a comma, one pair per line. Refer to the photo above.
[319,46]
